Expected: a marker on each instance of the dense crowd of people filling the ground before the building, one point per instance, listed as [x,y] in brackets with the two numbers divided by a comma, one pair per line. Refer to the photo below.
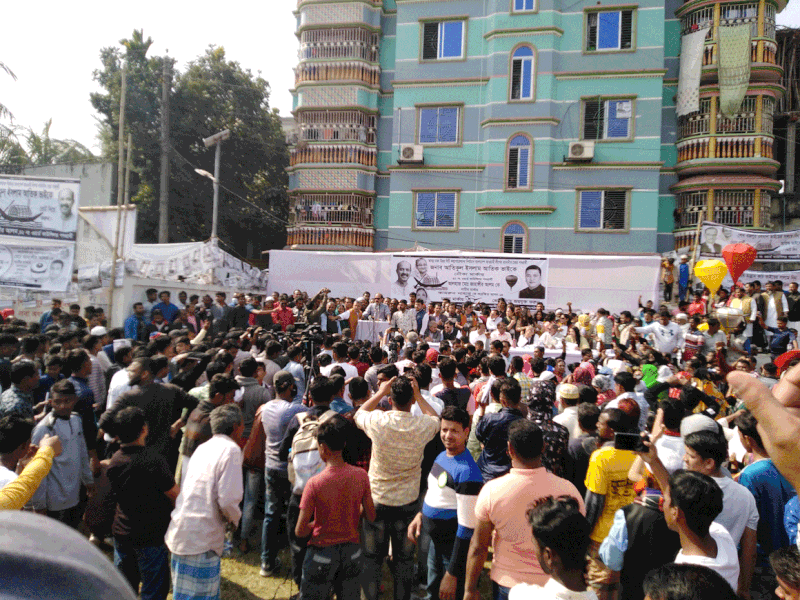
[647,454]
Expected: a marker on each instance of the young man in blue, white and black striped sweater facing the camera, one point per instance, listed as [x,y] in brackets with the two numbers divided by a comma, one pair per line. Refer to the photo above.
[448,511]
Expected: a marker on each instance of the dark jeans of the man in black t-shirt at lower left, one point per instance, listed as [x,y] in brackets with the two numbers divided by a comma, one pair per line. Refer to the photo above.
[147,564]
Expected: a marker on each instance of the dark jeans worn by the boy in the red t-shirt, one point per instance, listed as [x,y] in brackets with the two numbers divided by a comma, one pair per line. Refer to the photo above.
[324,567]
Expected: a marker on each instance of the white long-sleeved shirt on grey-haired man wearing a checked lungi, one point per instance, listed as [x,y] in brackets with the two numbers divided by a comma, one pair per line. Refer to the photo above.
[209,498]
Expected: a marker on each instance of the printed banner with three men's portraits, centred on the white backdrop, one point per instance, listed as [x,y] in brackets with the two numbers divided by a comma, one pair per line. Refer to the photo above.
[432,277]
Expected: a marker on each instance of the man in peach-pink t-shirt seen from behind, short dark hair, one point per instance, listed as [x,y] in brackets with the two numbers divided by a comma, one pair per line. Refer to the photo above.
[501,513]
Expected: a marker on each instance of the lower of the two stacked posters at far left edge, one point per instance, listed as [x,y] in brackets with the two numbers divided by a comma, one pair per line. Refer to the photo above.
[45,267]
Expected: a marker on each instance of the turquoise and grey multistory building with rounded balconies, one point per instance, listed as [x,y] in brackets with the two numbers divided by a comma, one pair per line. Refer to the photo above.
[521,126]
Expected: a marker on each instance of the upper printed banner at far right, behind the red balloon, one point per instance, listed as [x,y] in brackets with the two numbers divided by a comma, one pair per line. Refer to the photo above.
[772,246]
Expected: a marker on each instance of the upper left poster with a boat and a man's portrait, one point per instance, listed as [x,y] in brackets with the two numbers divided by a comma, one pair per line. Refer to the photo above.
[39,208]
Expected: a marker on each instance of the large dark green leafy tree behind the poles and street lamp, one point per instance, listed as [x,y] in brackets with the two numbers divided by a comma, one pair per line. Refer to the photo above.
[211,95]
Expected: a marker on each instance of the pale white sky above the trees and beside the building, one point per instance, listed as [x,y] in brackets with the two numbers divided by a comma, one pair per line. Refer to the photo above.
[54,82]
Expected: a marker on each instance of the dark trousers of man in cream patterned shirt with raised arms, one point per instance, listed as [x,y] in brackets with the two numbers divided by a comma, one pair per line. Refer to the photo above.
[392,523]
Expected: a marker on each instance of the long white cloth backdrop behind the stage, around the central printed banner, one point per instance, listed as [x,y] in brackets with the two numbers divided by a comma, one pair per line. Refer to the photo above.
[589,282]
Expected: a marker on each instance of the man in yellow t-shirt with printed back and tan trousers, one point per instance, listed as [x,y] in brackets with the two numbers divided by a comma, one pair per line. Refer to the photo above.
[607,490]
